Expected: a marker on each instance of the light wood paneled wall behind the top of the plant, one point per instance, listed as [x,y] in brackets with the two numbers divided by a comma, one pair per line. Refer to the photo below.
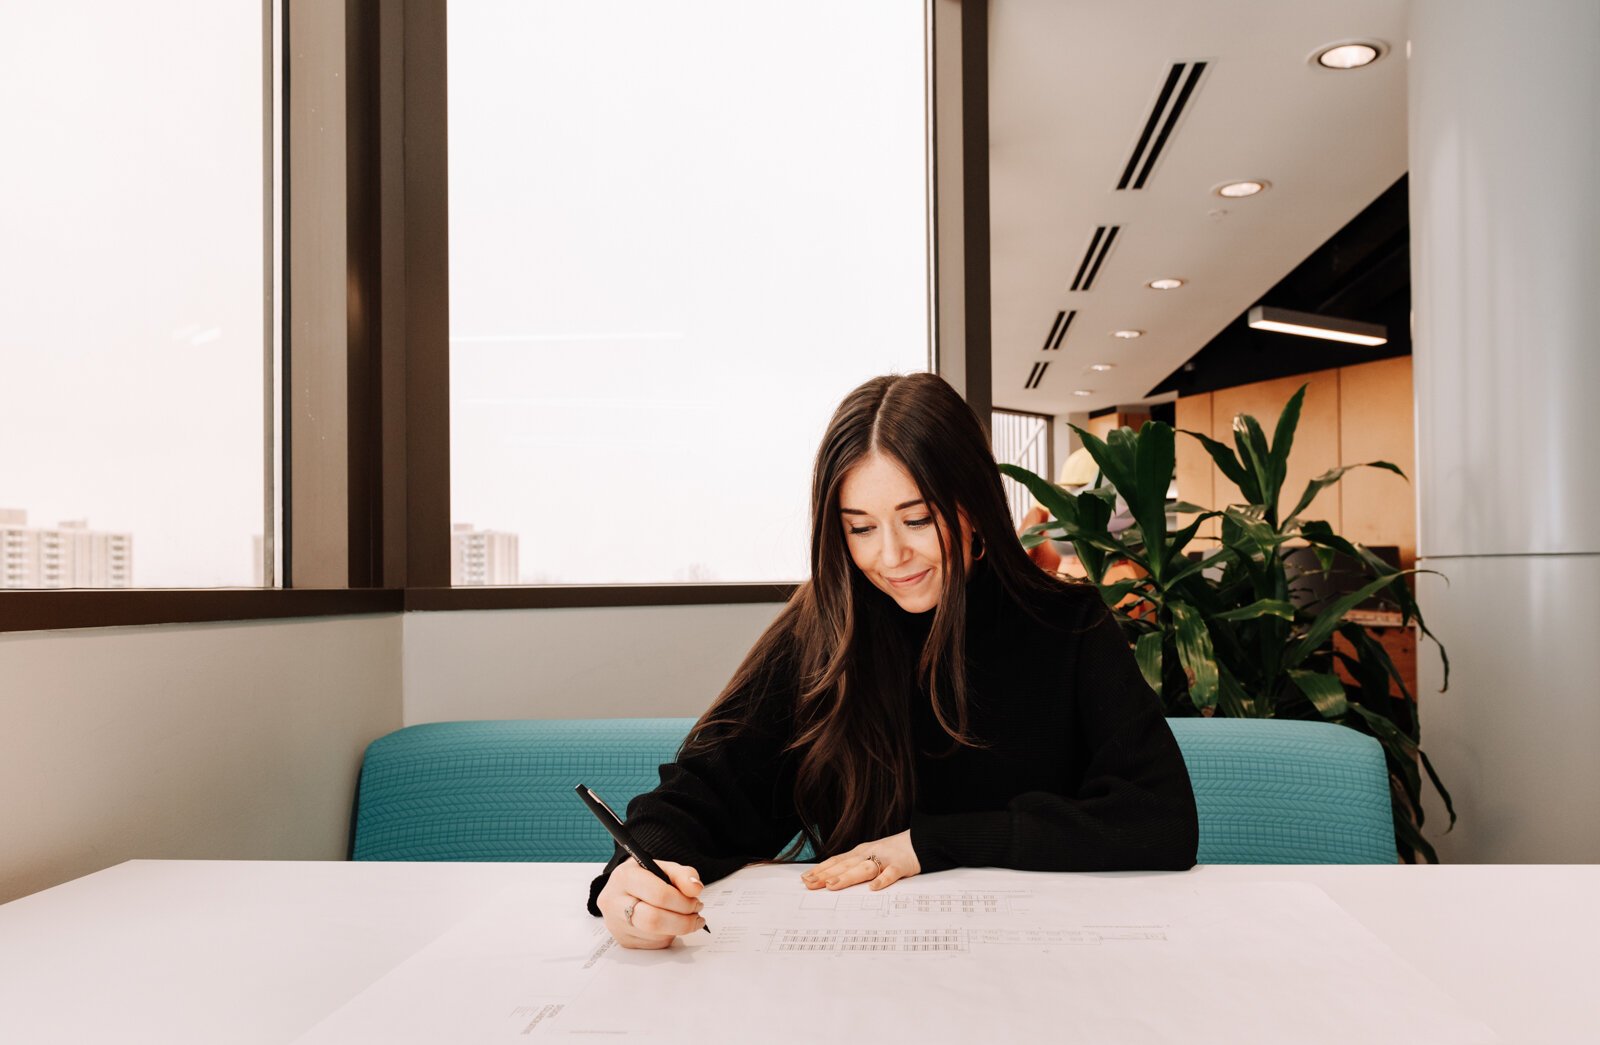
[1351,415]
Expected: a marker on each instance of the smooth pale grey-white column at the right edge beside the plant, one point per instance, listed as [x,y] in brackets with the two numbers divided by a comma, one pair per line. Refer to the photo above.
[1505,124]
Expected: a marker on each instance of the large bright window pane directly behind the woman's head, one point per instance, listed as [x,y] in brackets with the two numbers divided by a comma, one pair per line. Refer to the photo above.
[679,234]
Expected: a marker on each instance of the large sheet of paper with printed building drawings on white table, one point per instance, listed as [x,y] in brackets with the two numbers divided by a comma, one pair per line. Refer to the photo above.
[958,956]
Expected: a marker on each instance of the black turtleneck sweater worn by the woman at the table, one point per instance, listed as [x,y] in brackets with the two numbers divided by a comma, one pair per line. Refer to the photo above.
[1079,771]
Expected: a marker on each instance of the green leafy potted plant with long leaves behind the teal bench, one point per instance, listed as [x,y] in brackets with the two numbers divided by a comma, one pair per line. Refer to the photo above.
[1214,622]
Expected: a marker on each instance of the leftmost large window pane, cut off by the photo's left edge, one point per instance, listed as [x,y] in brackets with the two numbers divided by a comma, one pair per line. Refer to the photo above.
[135,310]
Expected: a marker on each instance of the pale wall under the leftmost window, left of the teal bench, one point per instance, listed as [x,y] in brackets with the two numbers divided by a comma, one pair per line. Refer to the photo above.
[186,742]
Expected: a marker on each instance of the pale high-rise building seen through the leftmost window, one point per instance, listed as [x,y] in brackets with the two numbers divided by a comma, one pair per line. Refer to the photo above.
[66,556]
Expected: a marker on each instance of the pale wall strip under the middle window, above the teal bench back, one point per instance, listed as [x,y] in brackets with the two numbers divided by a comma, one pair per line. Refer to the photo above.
[602,663]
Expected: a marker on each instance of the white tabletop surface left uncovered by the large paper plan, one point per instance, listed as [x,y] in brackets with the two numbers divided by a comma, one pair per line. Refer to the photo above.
[218,951]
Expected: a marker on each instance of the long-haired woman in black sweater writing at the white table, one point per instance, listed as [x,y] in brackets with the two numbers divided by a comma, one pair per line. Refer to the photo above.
[929,700]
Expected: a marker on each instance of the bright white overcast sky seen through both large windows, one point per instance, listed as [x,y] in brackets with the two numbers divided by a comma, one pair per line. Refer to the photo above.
[681,233]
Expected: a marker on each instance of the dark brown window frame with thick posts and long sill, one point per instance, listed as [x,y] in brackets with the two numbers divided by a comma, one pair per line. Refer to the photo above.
[366,492]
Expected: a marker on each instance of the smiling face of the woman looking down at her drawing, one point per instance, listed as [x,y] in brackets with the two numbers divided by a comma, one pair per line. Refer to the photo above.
[892,534]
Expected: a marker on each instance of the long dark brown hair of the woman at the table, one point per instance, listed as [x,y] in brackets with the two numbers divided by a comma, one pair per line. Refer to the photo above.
[847,643]
